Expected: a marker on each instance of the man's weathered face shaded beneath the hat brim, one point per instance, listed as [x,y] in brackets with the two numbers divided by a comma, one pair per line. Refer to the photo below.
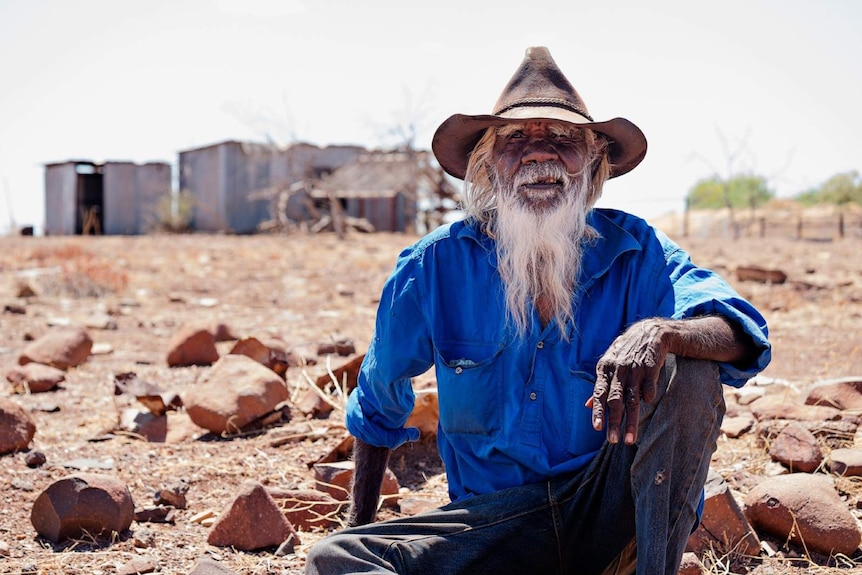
[537,159]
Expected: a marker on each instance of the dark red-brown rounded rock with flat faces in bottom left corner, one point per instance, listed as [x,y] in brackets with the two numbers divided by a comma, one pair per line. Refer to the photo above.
[88,502]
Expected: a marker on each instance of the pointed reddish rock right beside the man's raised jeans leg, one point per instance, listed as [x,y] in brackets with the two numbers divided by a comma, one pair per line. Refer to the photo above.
[723,524]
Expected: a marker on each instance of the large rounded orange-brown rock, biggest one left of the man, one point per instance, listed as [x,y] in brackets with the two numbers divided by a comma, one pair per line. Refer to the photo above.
[236,392]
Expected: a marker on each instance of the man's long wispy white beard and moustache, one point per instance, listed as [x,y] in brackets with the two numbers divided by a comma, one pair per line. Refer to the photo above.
[539,244]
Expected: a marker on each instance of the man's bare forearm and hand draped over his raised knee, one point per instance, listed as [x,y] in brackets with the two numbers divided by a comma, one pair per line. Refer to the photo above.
[628,372]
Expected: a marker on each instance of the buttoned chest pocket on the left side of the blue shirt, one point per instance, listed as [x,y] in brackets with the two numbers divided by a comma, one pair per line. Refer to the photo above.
[469,384]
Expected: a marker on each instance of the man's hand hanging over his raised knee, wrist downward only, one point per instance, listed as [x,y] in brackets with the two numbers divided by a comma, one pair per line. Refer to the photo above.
[625,374]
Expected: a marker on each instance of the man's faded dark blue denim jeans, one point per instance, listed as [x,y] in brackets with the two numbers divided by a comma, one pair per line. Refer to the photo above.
[633,506]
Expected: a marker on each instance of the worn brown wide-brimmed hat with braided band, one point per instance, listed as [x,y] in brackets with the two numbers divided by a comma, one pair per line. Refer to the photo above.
[537,91]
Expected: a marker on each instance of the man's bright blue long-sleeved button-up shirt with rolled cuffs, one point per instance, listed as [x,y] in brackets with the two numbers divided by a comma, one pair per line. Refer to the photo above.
[512,408]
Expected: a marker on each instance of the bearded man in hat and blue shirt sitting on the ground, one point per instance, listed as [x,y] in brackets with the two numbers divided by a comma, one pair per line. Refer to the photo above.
[579,357]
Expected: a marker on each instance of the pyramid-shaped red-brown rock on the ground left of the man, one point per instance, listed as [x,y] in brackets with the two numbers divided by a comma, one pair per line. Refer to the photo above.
[251,521]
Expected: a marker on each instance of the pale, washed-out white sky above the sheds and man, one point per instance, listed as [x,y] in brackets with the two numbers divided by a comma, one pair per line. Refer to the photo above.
[775,84]
